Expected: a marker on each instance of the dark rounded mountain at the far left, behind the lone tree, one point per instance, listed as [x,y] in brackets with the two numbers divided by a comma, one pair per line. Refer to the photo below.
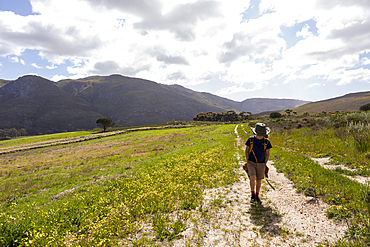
[39,104]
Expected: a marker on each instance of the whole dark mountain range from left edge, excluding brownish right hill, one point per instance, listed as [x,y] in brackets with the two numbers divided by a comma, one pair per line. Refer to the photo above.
[44,106]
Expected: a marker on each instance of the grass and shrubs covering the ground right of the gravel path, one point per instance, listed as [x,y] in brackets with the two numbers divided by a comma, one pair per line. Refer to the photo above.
[345,139]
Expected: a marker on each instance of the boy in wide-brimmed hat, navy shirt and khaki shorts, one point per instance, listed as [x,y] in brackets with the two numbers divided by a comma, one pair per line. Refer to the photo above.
[257,158]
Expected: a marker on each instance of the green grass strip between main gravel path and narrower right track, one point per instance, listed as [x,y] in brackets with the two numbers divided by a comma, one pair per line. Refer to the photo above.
[350,200]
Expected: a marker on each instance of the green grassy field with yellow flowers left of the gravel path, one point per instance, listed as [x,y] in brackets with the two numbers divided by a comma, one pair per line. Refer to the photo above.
[135,188]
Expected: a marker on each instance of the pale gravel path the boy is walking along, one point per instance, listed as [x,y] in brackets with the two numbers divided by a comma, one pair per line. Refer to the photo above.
[285,217]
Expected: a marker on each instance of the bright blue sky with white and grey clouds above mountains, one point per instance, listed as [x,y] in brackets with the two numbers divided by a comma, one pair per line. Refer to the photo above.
[294,49]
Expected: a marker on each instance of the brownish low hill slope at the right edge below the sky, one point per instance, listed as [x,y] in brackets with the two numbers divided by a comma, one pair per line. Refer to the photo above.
[348,102]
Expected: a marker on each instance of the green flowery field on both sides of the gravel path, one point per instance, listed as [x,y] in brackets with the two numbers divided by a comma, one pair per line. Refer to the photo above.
[142,188]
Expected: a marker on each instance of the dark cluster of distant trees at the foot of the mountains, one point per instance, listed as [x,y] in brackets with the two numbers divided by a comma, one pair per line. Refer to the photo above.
[229,116]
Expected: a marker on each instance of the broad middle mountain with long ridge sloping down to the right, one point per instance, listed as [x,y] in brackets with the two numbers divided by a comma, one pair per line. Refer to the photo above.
[132,101]
